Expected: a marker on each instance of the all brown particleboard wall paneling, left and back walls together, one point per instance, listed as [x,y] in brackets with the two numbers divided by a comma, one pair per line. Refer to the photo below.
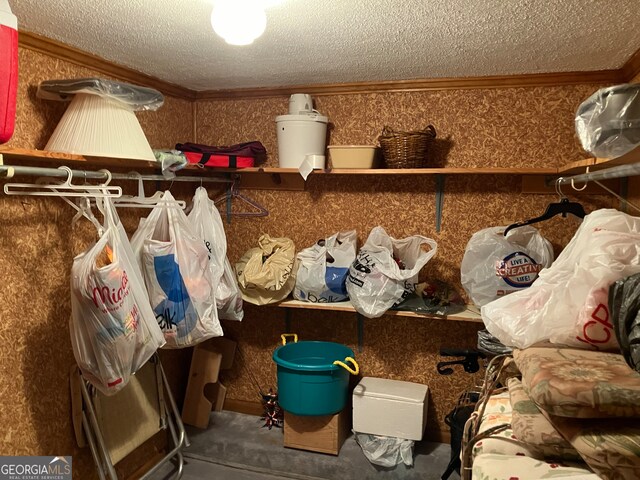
[497,127]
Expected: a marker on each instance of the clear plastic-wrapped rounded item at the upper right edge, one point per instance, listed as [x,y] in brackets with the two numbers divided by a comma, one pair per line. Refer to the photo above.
[608,122]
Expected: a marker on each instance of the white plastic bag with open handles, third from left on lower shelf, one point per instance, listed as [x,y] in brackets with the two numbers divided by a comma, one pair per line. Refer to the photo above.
[386,271]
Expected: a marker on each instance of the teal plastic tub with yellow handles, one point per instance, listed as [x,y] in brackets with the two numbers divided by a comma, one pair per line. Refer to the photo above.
[313,377]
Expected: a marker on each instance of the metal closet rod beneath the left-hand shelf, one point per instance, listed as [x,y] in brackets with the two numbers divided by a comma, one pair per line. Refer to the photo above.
[10,171]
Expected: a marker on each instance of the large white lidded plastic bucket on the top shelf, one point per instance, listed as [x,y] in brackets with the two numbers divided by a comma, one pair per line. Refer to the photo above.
[301,137]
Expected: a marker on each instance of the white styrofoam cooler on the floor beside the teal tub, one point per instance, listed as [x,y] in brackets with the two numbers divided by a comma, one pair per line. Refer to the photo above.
[390,407]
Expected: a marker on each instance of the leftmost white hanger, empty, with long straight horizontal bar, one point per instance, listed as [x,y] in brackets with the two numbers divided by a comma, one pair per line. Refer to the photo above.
[64,189]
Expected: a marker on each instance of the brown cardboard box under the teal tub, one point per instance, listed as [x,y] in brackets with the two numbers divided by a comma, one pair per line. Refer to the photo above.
[324,434]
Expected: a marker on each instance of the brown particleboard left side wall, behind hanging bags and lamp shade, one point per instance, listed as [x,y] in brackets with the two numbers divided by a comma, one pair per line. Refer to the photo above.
[37,246]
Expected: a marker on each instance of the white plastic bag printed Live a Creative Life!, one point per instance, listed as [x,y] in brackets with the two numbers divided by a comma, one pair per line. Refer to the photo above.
[495,265]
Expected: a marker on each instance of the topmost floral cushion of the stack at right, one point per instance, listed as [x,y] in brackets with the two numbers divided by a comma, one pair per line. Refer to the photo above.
[579,383]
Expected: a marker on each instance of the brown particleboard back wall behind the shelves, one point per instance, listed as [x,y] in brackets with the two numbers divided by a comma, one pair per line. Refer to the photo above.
[517,127]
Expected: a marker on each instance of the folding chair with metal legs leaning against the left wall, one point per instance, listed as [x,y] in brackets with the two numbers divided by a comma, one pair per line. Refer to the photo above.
[114,426]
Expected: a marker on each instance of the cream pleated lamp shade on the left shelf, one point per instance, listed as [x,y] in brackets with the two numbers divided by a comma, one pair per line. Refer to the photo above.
[99,127]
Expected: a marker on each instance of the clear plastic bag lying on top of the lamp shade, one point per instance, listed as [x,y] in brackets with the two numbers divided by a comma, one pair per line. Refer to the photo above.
[130,96]
